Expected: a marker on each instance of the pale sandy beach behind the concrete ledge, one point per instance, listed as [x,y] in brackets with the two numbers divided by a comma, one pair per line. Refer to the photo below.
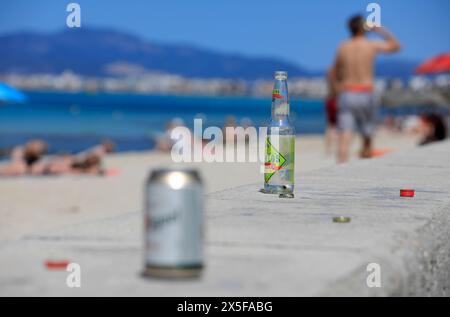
[30,205]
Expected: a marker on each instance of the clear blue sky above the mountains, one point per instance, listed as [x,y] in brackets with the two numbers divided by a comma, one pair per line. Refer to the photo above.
[305,32]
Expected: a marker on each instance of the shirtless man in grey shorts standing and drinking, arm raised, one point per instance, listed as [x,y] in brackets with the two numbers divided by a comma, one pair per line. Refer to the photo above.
[353,77]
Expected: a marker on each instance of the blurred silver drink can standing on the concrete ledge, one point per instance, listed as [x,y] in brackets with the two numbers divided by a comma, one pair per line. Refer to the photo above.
[173,224]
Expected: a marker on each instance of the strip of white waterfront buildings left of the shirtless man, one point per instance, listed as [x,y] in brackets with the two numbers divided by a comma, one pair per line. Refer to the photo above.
[160,83]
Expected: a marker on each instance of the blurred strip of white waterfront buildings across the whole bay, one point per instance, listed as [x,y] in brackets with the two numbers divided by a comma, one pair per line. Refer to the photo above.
[162,83]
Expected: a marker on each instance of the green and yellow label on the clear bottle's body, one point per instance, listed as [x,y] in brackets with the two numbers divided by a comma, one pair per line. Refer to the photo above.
[279,158]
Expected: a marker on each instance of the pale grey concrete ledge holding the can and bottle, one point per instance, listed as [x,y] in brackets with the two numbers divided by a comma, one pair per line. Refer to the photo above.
[259,245]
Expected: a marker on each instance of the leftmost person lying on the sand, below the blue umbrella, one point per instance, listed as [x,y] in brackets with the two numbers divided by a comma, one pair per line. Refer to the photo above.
[24,158]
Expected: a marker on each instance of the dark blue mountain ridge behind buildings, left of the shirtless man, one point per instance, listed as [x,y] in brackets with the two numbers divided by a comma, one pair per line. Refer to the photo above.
[101,52]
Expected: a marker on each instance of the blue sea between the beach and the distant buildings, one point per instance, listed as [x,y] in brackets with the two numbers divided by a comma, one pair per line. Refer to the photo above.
[71,122]
